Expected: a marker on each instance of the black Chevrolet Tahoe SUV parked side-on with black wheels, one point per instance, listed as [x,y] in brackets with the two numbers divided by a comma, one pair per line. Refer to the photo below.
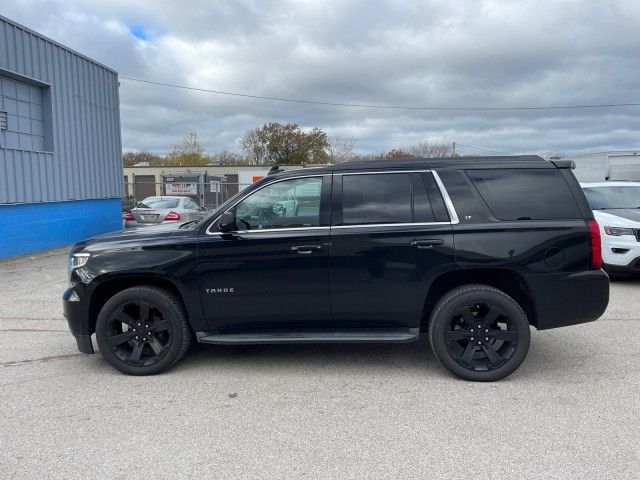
[469,251]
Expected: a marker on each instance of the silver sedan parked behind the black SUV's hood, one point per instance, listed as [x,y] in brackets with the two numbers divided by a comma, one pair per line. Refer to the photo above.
[164,209]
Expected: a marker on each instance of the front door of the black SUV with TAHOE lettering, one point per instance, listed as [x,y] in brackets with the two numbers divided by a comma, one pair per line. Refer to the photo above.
[272,271]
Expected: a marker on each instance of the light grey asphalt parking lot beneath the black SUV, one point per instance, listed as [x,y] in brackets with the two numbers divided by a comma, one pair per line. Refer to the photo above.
[368,411]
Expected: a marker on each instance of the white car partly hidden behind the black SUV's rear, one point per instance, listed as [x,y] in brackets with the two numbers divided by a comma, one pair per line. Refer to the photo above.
[616,207]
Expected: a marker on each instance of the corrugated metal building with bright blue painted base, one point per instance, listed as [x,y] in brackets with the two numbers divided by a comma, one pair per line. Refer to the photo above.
[60,148]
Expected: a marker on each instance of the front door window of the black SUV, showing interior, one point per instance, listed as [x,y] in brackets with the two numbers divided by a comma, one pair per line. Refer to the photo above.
[291,203]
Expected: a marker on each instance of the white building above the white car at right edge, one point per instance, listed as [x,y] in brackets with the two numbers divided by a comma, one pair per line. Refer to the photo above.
[613,165]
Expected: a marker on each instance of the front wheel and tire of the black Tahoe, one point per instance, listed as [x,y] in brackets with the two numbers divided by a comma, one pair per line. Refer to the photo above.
[143,331]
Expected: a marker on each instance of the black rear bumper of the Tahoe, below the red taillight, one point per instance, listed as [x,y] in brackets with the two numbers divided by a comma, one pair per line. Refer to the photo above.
[569,299]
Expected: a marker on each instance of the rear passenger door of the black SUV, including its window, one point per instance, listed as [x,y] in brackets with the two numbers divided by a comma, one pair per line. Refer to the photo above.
[391,235]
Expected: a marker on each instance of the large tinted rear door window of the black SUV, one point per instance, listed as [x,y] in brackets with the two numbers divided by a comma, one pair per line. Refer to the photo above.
[376,198]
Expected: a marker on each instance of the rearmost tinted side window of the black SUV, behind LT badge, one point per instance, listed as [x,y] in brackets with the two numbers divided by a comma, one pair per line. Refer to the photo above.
[525,194]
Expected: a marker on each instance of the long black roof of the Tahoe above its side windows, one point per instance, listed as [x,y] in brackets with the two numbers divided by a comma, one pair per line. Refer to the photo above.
[516,161]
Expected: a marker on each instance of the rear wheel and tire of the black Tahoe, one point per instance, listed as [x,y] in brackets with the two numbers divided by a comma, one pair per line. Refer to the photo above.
[504,334]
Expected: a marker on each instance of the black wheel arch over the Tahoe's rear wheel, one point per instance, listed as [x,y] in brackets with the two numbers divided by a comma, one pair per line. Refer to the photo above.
[510,282]
